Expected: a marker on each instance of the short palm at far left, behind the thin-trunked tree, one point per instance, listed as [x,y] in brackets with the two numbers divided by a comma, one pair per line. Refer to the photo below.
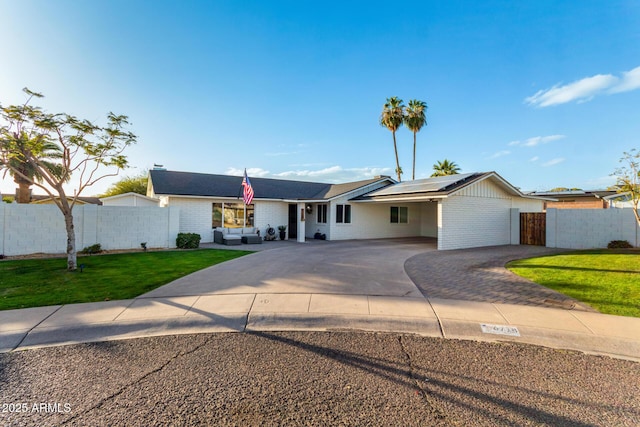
[21,166]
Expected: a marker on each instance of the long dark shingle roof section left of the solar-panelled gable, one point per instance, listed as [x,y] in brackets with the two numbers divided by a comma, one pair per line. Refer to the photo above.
[172,183]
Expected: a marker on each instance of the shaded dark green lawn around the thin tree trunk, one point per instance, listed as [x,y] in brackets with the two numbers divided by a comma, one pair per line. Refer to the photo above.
[40,282]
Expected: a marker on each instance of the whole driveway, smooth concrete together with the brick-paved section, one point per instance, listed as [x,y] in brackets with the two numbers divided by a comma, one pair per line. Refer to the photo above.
[410,267]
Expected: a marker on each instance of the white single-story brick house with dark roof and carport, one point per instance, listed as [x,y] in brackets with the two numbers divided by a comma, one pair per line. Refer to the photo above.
[461,211]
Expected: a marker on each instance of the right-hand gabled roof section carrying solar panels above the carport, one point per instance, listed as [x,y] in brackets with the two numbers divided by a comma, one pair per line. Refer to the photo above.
[438,187]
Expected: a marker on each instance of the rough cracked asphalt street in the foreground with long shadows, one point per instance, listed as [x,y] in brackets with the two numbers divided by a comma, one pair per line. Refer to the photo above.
[321,378]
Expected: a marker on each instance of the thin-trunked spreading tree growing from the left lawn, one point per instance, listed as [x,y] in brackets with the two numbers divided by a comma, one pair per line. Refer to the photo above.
[89,151]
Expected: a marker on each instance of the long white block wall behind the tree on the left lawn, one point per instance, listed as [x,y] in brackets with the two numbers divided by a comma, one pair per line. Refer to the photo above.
[30,229]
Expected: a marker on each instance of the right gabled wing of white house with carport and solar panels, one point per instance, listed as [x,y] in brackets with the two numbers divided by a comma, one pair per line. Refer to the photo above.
[462,211]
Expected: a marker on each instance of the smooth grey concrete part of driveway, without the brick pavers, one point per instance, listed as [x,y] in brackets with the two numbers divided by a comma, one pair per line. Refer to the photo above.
[357,267]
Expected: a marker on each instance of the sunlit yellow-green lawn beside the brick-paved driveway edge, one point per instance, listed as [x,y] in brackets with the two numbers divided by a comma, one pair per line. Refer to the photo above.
[607,280]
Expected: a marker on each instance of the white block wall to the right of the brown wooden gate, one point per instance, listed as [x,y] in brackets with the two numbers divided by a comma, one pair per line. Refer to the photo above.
[590,228]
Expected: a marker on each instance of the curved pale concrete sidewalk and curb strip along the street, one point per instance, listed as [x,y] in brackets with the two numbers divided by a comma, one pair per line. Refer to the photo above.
[591,333]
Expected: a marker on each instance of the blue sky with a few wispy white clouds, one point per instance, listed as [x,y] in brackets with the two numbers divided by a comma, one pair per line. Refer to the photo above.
[546,93]
